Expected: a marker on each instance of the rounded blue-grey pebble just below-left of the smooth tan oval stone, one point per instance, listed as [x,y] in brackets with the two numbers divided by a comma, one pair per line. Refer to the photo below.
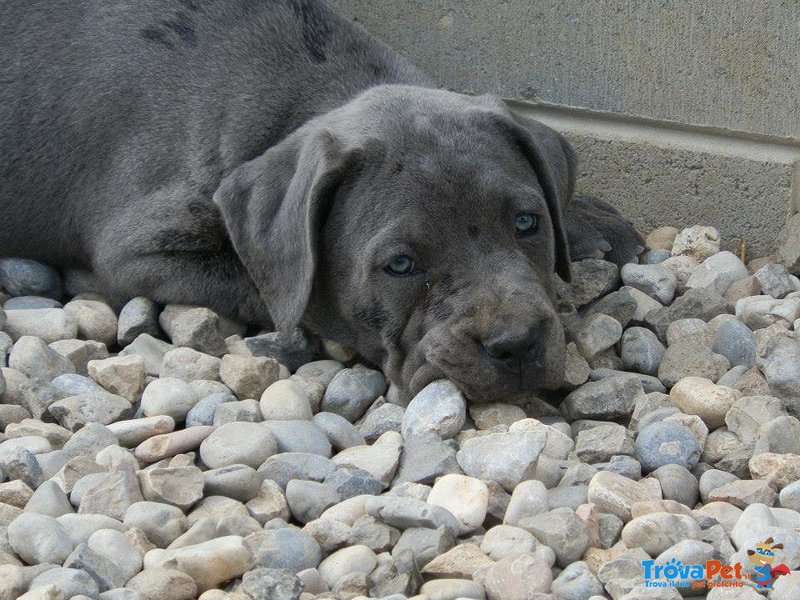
[660,444]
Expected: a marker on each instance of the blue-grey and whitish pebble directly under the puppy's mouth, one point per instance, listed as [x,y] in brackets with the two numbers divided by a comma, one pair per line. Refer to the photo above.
[352,391]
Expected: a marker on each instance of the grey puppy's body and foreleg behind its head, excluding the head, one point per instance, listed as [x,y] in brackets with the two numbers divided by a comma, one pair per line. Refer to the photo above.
[119,120]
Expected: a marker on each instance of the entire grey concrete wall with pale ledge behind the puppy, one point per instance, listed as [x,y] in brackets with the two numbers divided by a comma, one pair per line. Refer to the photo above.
[684,112]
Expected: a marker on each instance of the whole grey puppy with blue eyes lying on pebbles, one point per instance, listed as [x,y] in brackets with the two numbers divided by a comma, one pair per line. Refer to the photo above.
[272,161]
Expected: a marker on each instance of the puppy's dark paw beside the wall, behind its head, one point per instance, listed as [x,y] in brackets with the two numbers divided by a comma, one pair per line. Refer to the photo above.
[596,229]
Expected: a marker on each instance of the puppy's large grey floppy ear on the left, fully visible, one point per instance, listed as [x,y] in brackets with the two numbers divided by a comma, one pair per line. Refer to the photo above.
[273,208]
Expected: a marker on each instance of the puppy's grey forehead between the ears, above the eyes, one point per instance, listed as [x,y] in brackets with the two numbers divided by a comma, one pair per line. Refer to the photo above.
[453,149]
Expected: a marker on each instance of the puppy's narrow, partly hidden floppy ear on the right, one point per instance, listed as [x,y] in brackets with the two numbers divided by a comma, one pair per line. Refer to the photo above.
[555,164]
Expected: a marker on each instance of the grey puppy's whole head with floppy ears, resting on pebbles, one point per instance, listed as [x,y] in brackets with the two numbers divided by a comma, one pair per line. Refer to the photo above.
[420,227]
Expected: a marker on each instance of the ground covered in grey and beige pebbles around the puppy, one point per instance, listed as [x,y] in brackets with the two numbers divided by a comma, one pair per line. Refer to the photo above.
[162,453]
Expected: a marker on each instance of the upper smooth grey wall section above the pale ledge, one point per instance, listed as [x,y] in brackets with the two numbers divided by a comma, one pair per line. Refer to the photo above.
[723,63]
